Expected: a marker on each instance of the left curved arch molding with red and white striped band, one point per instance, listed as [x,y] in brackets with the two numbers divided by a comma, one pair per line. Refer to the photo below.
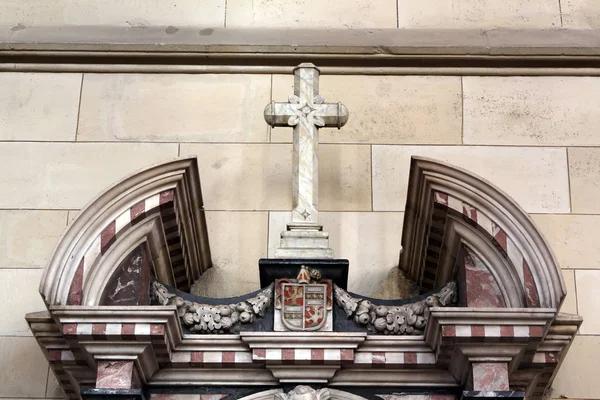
[159,209]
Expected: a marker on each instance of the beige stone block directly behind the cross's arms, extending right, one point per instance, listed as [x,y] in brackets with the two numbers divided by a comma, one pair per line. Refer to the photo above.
[386,109]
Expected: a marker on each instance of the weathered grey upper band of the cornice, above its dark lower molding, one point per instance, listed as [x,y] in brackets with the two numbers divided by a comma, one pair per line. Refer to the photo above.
[213,42]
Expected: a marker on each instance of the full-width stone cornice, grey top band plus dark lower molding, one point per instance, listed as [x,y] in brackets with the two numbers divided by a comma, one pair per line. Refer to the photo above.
[337,51]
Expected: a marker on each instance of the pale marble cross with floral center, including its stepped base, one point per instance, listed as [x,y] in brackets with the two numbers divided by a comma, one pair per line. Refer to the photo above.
[306,112]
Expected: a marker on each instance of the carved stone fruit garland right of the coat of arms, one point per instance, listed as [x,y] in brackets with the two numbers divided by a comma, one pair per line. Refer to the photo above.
[406,319]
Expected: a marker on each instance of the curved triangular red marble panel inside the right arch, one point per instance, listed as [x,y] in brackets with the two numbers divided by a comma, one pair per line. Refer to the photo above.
[482,288]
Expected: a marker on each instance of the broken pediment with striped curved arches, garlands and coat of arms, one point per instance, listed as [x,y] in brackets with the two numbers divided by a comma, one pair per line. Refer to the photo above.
[121,323]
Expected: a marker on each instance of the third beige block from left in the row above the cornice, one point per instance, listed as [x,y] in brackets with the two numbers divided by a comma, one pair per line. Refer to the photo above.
[450,14]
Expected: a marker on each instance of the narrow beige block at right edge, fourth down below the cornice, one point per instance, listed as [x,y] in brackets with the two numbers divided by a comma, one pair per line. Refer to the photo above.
[588,301]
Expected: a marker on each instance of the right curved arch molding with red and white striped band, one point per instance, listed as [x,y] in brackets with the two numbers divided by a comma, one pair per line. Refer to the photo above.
[452,214]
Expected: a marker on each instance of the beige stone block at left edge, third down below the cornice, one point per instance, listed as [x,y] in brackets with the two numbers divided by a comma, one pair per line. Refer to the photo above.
[27,238]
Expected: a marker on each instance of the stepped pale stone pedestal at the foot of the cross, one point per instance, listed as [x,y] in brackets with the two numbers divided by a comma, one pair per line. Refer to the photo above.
[304,241]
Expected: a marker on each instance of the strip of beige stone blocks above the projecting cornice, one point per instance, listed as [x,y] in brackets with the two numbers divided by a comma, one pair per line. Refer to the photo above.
[305,13]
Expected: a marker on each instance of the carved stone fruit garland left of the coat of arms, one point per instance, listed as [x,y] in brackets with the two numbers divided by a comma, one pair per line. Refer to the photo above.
[211,318]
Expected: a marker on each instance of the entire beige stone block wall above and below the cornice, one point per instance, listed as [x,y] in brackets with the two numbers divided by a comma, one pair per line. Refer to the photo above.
[64,137]
